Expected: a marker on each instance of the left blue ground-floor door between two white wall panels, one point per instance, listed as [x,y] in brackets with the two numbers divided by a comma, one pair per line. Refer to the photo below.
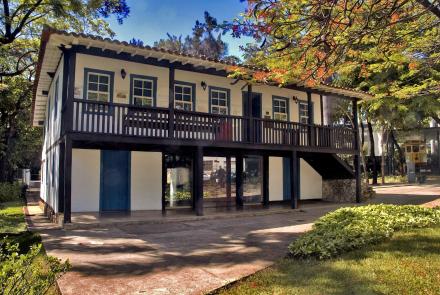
[115,181]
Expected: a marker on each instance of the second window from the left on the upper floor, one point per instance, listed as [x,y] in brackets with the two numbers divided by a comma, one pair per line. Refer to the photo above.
[143,91]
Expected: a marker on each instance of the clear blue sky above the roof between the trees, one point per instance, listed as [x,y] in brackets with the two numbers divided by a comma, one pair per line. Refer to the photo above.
[150,20]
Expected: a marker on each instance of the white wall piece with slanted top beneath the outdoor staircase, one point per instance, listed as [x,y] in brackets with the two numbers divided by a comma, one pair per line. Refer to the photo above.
[310,182]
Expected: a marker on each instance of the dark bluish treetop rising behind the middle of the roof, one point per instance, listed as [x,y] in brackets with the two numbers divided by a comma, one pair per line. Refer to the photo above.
[206,40]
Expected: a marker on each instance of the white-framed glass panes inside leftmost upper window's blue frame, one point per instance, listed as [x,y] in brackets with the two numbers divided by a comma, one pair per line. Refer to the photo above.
[98,87]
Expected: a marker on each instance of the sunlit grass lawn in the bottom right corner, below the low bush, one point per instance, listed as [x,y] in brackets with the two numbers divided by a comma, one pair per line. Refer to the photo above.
[408,263]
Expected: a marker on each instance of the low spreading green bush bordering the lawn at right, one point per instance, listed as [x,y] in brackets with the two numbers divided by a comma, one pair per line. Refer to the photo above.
[350,228]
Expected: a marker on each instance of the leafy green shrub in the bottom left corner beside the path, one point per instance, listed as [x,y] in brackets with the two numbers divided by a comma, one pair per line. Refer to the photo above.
[24,273]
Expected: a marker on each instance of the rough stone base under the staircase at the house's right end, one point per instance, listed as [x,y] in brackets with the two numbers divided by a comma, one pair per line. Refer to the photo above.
[344,191]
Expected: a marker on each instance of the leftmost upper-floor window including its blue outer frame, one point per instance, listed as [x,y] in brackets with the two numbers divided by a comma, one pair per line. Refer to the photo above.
[99,85]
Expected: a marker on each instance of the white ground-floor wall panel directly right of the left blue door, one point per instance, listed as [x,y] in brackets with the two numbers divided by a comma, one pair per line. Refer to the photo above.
[146,181]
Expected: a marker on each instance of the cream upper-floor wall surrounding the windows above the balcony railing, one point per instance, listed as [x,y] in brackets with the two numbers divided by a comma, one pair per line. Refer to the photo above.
[122,86]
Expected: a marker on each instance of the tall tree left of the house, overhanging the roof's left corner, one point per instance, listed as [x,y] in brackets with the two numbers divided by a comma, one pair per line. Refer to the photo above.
[21,22]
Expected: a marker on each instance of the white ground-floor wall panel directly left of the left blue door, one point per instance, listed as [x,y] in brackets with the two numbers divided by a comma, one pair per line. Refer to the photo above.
[85,180]
